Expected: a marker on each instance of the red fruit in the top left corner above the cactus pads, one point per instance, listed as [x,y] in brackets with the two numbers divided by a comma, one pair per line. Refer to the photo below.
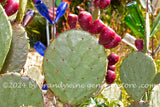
[10,7]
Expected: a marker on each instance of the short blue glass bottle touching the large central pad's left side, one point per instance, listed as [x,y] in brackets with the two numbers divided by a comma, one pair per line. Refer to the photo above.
[40,48]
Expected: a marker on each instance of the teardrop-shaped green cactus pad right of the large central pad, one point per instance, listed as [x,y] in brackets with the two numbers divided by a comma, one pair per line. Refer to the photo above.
[136,73]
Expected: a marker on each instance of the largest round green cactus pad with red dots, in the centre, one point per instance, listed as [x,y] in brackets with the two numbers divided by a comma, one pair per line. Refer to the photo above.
[74,66]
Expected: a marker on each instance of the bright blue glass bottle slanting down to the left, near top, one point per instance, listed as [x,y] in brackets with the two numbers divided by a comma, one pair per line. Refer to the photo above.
[61,10]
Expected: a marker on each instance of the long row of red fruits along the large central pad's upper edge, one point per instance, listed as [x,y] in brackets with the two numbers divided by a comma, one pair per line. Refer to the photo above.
[108,38]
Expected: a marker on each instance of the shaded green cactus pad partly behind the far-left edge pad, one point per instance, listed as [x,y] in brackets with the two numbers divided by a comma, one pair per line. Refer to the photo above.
[17,54]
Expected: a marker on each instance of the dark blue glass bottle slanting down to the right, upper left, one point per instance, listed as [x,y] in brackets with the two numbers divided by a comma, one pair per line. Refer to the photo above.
[43,10]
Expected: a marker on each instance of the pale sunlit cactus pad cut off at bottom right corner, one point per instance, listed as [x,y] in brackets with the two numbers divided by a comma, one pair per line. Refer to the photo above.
[155,96]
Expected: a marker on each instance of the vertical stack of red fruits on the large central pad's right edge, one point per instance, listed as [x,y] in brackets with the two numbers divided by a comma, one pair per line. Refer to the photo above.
[111,75]
